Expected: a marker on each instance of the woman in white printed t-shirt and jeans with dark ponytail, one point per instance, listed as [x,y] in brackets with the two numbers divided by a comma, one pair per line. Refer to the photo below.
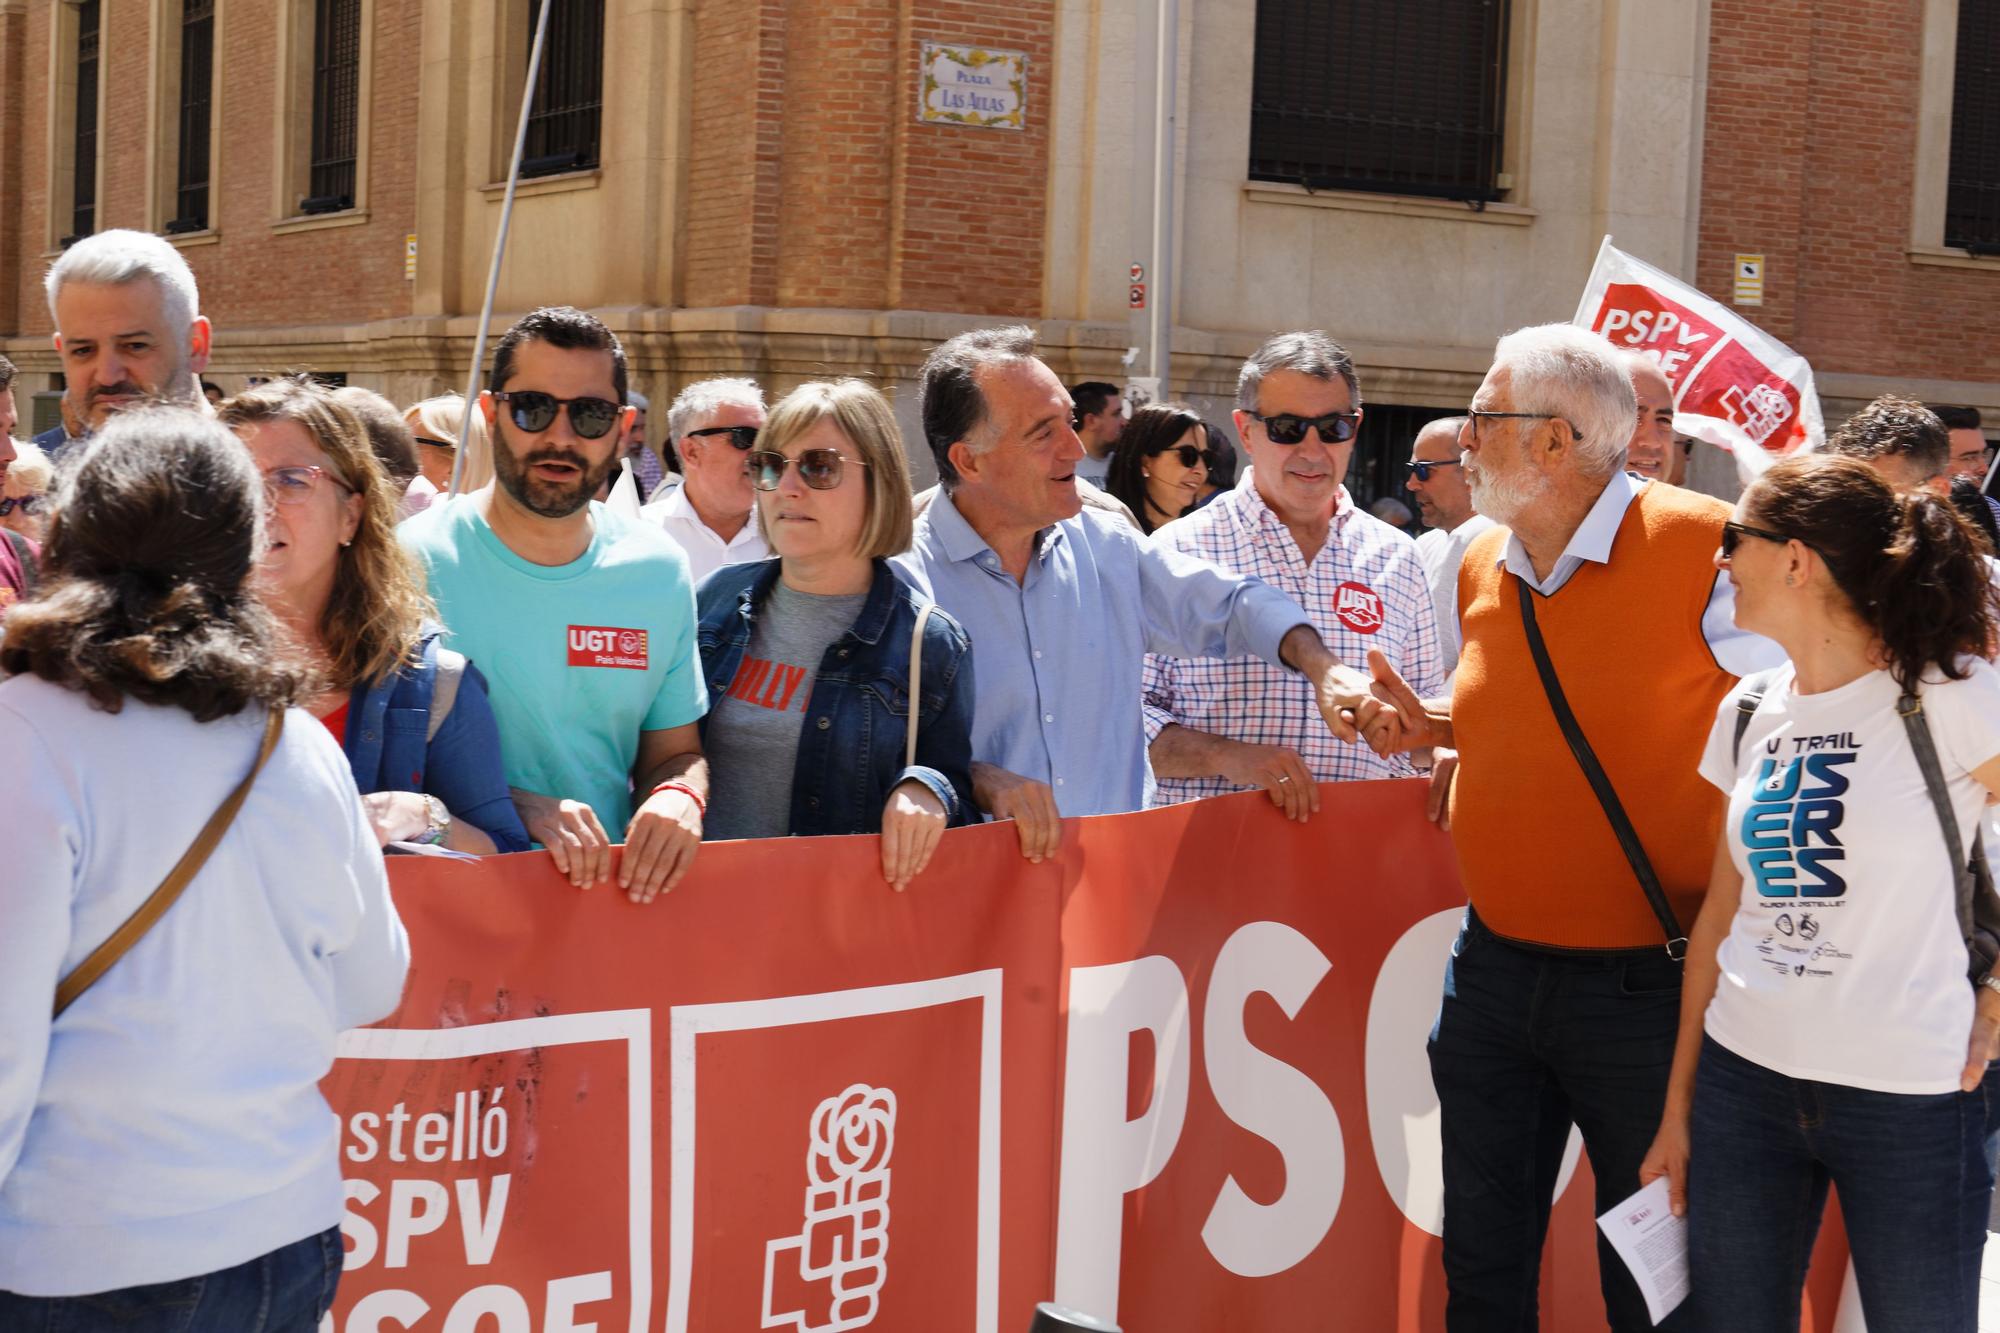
[1829,1032]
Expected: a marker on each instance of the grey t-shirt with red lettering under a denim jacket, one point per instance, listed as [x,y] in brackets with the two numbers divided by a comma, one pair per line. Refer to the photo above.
[753,732]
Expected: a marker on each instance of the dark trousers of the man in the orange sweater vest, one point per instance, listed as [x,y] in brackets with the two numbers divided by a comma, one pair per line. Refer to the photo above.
[1527,1044]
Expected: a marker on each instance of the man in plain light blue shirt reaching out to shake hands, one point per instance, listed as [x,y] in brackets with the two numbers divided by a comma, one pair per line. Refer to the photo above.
[1063,603]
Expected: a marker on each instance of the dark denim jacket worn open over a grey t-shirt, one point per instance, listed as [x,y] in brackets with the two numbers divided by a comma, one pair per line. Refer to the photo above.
[851,744]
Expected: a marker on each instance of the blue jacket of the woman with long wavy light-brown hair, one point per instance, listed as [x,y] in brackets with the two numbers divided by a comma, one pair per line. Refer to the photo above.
[391,750]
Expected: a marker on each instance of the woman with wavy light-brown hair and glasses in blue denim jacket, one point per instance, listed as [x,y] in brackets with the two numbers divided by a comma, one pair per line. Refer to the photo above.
[411,716]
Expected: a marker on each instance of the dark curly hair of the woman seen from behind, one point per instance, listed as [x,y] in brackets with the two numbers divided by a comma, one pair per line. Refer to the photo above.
[149,575]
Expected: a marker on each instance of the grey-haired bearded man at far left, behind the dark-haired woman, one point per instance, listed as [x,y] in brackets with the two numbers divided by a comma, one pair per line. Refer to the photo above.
[129,329]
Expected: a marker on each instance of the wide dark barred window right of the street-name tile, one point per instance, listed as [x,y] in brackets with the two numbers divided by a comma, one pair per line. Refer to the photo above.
[1381,95]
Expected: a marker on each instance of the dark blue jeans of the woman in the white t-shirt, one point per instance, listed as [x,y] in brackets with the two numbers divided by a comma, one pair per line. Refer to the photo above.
[1913,1184]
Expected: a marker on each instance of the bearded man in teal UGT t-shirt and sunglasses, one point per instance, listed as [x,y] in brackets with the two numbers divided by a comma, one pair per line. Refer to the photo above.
[581,621]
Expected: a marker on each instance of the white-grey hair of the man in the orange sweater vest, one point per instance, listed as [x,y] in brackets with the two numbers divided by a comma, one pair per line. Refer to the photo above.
[1579,377]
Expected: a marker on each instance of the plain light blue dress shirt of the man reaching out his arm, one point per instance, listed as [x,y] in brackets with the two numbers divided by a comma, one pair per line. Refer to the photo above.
[1059,655]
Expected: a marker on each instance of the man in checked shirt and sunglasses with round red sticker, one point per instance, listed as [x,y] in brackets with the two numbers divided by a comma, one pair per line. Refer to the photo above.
[1239,724]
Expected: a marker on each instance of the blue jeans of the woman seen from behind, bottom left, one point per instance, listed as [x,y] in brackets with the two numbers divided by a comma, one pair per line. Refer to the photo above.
[283,1292]
